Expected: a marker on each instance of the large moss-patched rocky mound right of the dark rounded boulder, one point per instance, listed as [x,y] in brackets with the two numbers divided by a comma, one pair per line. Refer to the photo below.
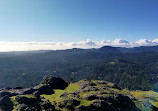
[94,96]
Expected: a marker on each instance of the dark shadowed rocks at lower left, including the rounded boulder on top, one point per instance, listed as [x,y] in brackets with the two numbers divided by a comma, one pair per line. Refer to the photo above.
[29,99]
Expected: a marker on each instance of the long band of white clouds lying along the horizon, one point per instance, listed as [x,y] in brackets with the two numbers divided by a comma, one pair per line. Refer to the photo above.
[27,46]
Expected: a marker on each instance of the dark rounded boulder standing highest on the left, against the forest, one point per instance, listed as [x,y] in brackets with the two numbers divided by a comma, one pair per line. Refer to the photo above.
[55,82]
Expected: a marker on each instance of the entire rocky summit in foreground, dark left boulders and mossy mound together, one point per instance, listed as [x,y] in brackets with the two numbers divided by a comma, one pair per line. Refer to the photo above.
[81,96]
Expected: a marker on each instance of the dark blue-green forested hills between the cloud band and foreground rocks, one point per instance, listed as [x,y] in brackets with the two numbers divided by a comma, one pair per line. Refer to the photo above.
[132,68]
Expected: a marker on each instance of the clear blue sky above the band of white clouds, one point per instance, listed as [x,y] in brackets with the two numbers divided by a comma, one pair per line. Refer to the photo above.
[78,20]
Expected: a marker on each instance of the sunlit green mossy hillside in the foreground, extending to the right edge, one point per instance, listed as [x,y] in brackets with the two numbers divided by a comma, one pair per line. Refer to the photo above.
[85,94]
